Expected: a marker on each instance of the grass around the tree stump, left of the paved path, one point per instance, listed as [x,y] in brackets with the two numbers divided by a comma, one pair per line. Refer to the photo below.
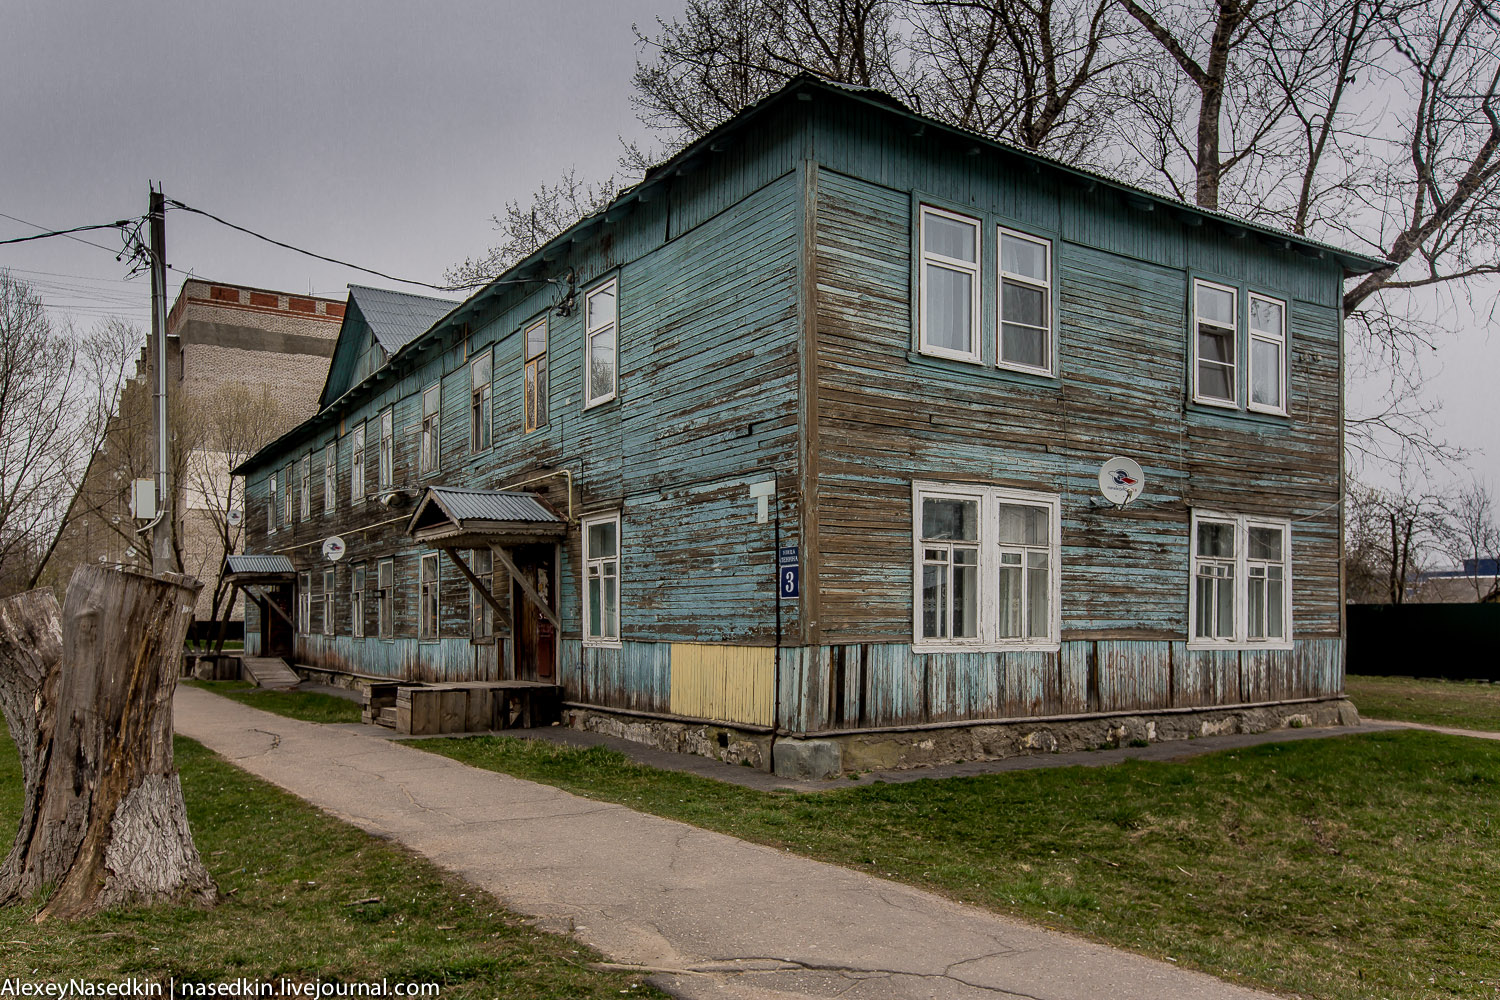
[293,884]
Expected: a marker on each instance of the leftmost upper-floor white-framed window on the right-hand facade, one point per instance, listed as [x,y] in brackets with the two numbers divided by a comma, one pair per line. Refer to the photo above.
[949,284]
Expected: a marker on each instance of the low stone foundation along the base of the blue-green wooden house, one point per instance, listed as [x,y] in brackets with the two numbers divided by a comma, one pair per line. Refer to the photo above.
[835,755]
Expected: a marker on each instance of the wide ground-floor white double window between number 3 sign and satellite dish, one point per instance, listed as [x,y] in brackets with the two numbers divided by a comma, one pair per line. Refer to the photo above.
[985,567]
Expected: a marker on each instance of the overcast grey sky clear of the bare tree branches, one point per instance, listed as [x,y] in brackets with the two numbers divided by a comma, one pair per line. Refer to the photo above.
[371,131]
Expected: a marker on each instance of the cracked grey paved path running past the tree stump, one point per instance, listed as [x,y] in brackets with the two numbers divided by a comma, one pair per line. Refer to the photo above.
[712,917]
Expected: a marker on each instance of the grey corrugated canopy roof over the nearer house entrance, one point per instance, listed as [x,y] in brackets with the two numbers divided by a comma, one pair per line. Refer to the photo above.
[449,518]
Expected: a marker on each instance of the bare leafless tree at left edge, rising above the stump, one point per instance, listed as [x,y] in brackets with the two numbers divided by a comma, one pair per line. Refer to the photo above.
[56,394]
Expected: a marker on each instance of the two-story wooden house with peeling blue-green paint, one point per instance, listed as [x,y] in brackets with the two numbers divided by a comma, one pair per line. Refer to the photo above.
[800,440]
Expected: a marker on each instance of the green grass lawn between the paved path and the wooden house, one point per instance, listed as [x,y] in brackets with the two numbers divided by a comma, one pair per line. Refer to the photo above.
[1343,867]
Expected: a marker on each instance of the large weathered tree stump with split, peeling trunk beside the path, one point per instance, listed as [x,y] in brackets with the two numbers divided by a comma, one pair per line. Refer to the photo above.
[88,693]
